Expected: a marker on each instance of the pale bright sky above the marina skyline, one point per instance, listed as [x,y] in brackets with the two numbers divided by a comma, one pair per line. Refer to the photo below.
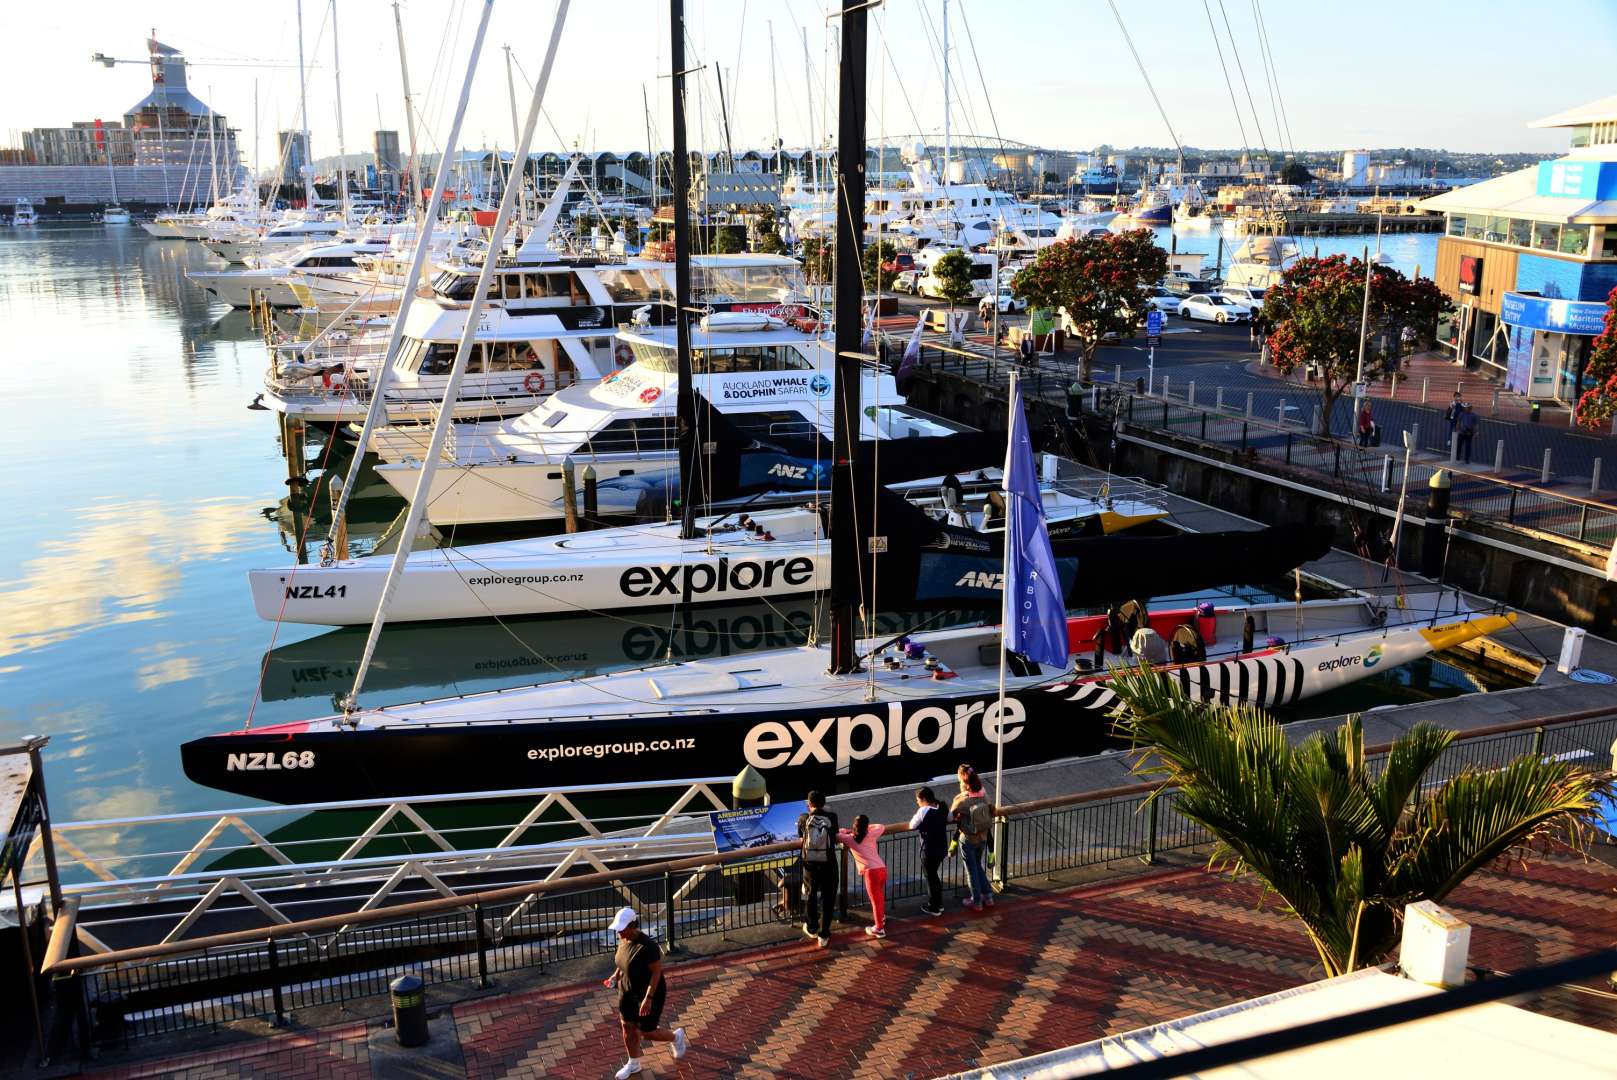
[1459,75]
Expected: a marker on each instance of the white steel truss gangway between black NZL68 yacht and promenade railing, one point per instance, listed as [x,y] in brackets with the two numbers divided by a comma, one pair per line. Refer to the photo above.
[164,879]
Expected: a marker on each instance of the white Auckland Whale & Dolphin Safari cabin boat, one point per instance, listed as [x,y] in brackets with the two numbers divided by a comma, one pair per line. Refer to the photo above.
[767,381]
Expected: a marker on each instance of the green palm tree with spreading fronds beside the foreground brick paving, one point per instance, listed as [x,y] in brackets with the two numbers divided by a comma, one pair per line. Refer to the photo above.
[1345,846]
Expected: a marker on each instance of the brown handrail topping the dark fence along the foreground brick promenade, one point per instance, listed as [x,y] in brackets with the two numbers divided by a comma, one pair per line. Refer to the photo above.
[602,879]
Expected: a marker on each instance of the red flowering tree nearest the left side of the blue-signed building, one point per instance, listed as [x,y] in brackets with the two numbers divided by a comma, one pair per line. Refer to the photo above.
[1317,313]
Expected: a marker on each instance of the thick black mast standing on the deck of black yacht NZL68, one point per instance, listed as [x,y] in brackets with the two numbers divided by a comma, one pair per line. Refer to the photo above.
[848,335]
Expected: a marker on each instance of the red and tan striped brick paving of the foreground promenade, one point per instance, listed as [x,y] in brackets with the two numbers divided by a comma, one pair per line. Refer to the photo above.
[1034,974]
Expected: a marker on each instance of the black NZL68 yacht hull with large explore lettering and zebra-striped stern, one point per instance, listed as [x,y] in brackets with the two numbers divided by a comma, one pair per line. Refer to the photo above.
[800,736]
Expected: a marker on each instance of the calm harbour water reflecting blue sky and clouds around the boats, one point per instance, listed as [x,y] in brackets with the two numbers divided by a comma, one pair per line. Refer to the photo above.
[141,494]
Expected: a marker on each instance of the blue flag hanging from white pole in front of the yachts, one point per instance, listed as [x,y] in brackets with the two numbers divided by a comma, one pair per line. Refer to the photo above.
[1036,615]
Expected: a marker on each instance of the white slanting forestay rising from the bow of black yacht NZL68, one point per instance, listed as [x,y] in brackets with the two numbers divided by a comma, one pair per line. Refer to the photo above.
[463,352]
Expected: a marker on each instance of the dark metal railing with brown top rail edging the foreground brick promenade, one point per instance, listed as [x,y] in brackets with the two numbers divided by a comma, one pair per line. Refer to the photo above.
[268,972]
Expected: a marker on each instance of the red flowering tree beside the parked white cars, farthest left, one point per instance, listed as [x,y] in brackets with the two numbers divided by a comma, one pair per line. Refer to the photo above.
[1100,282]
